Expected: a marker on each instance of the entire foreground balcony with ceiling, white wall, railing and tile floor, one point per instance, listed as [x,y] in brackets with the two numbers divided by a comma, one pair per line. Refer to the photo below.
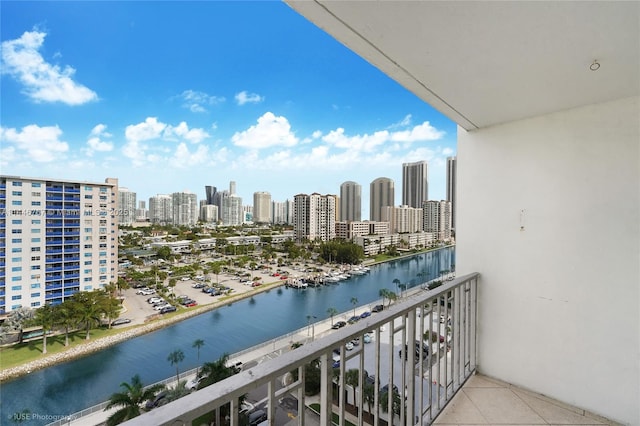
[547,102]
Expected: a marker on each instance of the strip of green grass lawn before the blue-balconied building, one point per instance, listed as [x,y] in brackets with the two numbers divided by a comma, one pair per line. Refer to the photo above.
[25,352]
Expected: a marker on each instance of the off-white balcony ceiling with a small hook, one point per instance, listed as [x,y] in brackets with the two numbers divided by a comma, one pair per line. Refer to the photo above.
[485,63]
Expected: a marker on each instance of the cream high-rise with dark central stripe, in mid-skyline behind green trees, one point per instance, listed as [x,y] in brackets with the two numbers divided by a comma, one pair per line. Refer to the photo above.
[315,217]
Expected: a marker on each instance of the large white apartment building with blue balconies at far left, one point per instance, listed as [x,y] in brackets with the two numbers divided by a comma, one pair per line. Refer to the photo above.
[58,237]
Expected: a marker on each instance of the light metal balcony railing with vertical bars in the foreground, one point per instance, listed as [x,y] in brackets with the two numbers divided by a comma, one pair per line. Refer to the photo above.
[425,379]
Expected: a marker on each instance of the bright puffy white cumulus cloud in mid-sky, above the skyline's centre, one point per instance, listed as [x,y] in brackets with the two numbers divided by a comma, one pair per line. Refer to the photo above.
[270,131]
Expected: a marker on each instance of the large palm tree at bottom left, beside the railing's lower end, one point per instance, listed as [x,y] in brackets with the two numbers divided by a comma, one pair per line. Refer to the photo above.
[130,399]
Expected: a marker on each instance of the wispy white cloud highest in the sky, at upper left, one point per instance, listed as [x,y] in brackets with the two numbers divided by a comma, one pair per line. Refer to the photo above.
[43,82]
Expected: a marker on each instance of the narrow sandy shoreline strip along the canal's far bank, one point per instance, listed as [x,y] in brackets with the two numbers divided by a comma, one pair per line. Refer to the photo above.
[92,346]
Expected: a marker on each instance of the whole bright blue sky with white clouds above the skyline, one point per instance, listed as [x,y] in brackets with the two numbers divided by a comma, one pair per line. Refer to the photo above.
[172,96]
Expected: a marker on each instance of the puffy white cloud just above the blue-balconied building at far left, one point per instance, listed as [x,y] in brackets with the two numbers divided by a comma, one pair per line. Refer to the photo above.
[41,144]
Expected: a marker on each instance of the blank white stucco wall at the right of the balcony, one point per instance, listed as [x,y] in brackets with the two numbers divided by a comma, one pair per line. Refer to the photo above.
[559,300]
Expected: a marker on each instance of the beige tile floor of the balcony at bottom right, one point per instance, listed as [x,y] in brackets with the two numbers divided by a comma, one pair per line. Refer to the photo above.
[486,401]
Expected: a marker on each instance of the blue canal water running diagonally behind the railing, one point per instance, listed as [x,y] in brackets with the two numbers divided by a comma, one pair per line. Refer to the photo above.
[70,387]
